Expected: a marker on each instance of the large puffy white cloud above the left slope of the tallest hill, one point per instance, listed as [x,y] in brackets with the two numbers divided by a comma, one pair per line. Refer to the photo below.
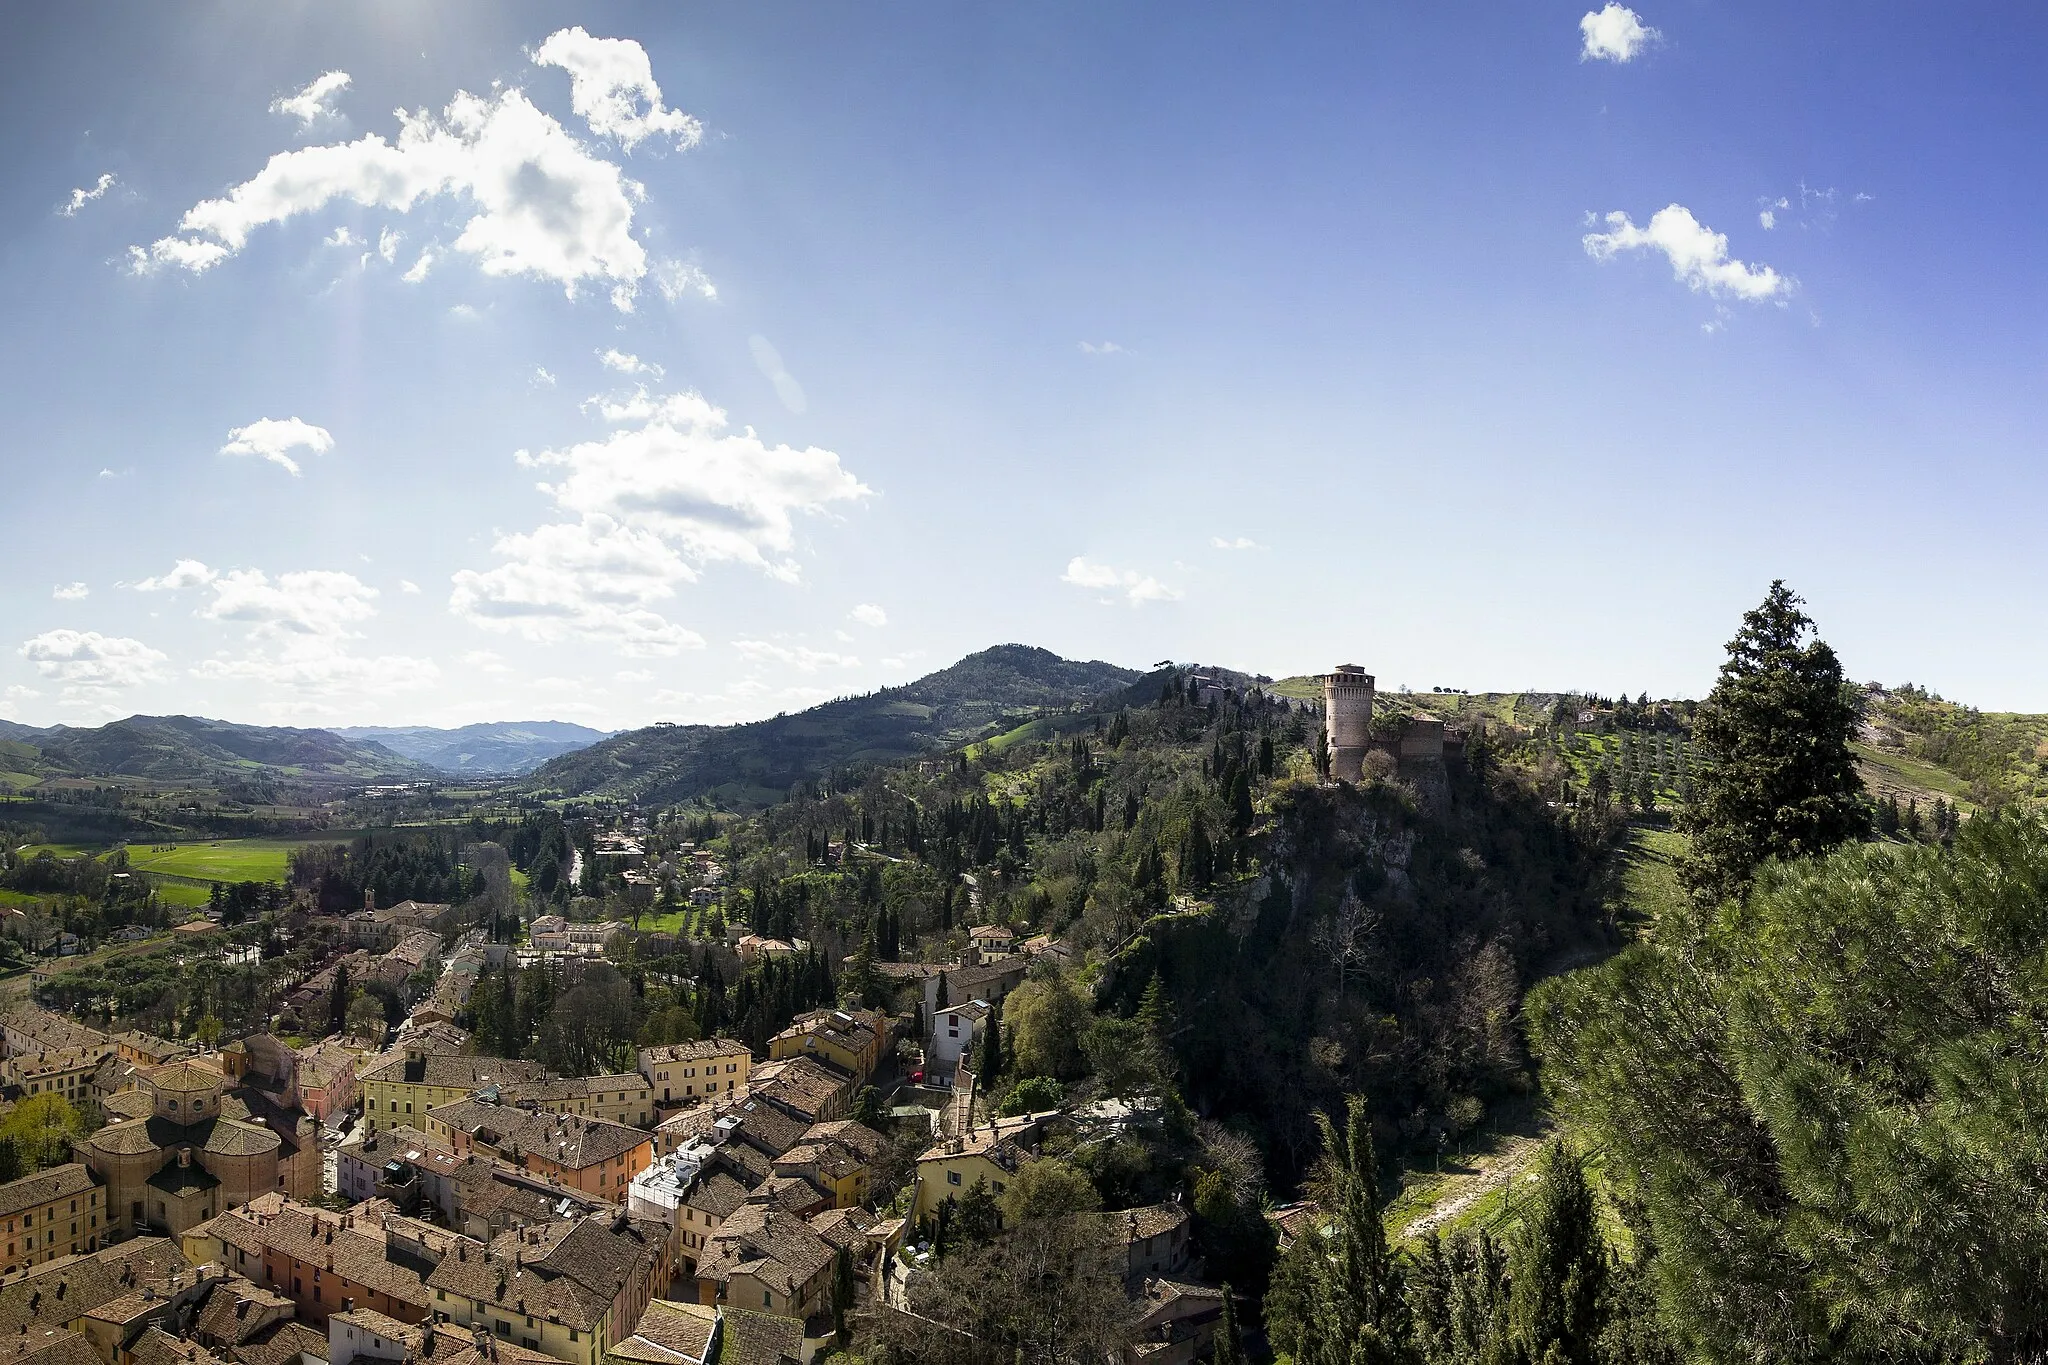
[665,494]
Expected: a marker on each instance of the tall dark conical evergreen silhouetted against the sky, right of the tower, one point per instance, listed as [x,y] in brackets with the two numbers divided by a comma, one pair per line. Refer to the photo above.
[1779,779]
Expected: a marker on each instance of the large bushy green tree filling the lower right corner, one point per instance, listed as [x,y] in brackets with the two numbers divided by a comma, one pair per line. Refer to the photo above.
[1832,1104]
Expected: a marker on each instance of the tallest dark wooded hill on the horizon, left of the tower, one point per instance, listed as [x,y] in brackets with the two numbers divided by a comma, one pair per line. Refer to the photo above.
[759,762]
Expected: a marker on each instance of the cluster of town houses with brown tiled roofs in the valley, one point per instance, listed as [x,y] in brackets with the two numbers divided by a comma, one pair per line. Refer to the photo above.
[701,1208]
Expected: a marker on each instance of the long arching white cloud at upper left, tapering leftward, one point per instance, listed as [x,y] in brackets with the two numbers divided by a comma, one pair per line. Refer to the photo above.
[546,206]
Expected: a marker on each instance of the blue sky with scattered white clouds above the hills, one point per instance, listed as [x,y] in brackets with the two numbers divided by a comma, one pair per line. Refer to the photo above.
[1496,347]
